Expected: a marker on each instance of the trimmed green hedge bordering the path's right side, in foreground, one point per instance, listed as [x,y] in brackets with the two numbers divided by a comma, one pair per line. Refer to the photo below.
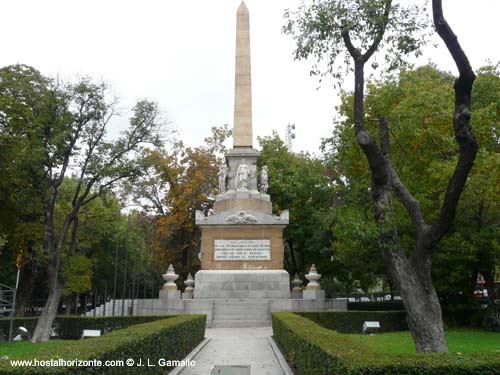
[312,349]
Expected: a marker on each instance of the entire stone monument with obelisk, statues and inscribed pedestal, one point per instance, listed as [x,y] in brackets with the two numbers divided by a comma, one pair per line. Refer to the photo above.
[241,240]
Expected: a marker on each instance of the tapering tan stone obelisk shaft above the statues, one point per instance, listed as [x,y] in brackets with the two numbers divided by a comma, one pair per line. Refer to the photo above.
[242,132]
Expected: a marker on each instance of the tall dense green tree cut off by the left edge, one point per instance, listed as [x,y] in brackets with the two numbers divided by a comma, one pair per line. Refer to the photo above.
[23,100]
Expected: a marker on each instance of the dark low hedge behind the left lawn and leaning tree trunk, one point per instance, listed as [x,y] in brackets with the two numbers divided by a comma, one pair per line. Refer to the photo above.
[71,327]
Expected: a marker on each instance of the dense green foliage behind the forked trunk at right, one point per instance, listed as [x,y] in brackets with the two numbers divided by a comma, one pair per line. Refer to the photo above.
[424,157]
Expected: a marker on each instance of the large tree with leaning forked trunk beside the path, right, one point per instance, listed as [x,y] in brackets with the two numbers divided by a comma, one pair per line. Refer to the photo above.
[358,29]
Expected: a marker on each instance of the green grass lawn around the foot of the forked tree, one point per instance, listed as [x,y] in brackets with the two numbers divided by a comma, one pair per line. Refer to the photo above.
[459,341]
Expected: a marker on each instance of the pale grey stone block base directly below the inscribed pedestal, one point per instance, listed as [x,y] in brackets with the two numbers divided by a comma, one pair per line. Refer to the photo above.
[242,284]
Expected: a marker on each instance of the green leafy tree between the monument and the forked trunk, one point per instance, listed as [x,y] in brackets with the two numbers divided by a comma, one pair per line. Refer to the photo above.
[303,184]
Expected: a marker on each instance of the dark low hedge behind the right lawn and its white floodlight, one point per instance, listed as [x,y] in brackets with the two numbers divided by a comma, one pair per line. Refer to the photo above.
[352,321]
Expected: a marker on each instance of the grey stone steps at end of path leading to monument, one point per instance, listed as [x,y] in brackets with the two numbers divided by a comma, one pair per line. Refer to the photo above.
[241,313]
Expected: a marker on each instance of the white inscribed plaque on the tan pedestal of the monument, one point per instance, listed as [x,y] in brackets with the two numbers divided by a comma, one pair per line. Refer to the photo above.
[242,249]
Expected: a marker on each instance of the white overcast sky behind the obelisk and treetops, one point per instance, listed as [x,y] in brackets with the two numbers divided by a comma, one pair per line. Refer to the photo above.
[181,54]
